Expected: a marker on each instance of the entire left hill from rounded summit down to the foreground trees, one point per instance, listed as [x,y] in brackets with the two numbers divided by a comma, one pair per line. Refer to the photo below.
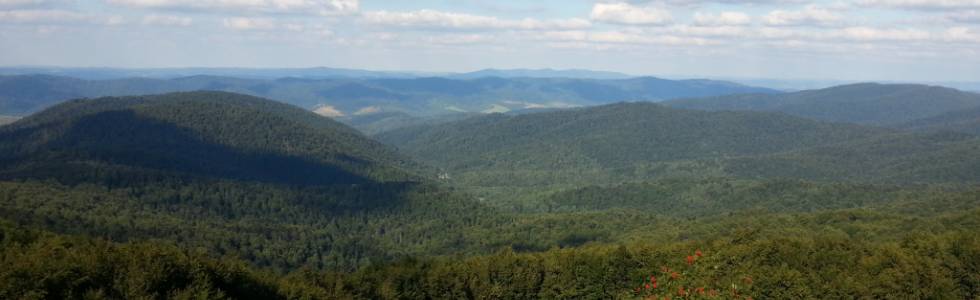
[230,174]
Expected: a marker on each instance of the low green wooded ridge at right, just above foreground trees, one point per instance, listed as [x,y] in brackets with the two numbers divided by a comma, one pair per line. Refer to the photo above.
[708,197]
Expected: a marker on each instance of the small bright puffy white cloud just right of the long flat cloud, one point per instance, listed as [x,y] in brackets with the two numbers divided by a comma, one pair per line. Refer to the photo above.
[628,14]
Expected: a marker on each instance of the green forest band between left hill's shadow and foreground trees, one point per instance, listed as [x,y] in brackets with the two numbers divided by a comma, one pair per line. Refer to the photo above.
[280,227]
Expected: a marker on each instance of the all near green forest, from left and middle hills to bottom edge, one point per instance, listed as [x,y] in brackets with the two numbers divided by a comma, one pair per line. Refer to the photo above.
[221,195]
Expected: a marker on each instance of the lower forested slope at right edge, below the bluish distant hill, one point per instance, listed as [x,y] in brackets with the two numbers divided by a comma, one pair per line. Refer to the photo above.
[899,157]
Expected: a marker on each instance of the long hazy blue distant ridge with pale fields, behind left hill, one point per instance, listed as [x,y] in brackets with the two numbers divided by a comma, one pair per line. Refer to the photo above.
[24,94]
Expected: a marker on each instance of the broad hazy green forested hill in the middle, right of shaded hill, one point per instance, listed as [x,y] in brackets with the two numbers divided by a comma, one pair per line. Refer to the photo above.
[616,136]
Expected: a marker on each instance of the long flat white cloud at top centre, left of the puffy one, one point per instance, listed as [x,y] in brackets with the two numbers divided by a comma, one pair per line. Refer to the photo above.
[437,19]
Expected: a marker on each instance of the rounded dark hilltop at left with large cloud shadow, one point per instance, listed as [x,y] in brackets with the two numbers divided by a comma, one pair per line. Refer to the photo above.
[194,134]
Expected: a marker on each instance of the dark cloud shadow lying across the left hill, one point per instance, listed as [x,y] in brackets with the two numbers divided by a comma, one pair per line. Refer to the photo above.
[119,148]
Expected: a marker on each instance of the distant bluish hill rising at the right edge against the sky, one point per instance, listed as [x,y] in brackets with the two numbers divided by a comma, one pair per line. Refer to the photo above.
[865,103]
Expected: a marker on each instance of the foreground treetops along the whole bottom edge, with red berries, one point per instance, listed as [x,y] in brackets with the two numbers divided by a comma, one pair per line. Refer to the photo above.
[761,257]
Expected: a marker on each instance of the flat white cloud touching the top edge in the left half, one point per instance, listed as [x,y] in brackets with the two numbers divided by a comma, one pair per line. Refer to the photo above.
[321,7]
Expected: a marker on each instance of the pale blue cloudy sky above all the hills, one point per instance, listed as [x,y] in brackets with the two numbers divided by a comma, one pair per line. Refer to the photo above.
[894,40]
